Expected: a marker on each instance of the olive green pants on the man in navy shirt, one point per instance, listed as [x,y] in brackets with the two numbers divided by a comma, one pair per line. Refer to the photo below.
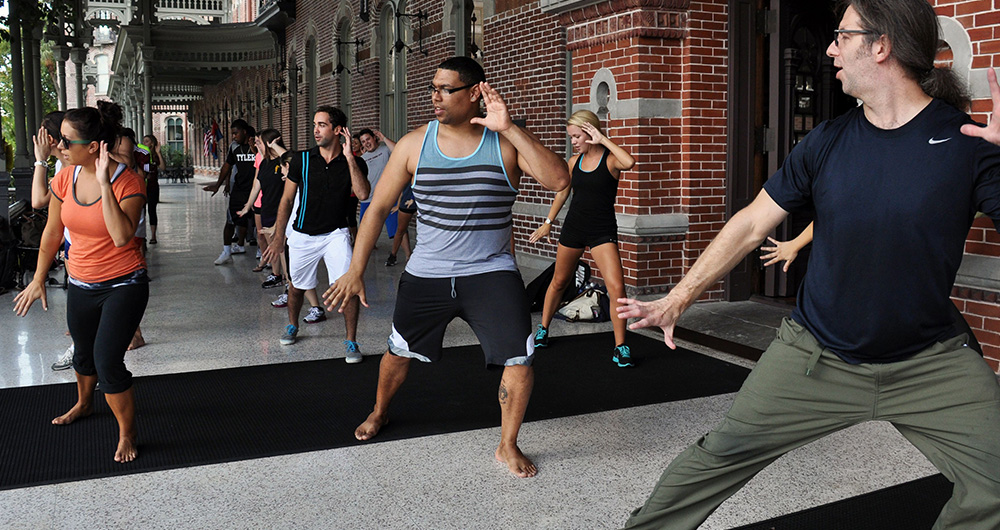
[945,400]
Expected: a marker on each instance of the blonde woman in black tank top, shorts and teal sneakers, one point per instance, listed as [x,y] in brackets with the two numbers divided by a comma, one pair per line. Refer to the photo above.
[595,171]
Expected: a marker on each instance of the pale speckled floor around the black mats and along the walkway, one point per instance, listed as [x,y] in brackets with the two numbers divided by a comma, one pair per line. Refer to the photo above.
[204,317]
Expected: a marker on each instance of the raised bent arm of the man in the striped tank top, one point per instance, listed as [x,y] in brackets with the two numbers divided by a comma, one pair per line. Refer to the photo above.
[532,157]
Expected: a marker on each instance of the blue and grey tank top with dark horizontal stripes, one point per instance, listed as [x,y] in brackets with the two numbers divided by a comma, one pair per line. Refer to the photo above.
[464,217]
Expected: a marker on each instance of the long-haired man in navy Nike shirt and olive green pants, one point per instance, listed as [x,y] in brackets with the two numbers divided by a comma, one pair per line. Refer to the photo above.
[895,184]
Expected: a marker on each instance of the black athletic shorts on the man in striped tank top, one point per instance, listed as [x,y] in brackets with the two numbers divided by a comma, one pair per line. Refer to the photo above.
[493,304]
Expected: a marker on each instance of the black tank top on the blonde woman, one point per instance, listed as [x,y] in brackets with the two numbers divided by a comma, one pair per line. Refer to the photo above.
[594,192]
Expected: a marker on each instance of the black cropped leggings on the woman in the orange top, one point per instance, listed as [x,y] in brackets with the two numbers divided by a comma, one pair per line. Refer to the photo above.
[102,322]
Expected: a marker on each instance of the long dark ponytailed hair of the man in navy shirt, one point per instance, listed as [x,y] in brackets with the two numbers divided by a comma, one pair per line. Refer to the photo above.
[912,29]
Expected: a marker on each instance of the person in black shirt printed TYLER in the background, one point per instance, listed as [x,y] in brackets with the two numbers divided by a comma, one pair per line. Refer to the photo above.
[241,160]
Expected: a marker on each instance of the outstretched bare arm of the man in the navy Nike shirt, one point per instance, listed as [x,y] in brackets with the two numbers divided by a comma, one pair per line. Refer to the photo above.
[740,235]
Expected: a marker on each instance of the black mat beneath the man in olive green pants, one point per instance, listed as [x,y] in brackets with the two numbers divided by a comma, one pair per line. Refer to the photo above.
[913,505]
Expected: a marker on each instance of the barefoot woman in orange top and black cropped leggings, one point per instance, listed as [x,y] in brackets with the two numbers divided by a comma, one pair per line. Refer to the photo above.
[99,201]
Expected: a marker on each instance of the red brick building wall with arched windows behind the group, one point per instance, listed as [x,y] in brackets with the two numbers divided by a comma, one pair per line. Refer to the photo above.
[709,96]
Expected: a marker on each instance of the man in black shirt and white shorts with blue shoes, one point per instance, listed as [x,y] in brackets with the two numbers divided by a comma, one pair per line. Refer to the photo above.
[324,178]
